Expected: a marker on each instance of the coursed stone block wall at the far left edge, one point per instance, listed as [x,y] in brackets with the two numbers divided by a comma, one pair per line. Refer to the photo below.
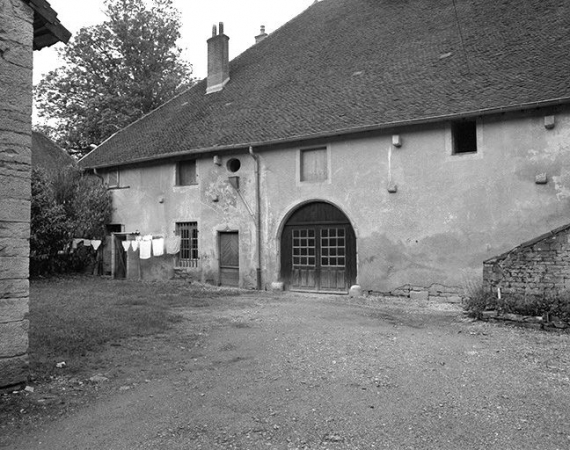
[16,35]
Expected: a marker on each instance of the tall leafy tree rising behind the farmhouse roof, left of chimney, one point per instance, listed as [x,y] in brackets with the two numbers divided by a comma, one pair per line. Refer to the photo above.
[114,73]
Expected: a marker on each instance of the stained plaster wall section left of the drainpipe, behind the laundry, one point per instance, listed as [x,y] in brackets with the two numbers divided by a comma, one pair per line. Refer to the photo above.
[149,202]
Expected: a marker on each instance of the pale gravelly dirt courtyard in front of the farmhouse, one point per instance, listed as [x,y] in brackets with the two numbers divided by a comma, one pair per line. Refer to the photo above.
[307,372]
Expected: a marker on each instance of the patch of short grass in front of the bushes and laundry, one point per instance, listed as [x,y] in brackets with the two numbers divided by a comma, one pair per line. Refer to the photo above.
[73,316]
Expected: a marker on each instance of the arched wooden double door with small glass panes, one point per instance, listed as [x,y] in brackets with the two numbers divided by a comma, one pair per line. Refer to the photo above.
[318,249]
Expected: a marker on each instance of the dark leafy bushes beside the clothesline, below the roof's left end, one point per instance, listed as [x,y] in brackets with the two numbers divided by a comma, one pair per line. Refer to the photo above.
[65,205]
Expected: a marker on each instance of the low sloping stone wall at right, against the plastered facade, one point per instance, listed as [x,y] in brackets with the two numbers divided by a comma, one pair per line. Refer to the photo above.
[537,267]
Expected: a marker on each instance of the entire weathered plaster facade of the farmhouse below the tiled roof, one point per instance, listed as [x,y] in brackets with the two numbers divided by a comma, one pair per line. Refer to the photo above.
[449,214]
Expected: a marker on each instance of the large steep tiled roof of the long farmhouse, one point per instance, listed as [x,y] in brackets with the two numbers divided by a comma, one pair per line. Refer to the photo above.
[354,64]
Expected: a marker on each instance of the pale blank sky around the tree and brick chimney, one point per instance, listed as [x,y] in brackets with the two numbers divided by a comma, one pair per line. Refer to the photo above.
[242,20]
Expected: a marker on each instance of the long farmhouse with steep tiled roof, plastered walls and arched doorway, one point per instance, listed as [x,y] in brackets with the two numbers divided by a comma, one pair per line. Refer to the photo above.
[379,143]
